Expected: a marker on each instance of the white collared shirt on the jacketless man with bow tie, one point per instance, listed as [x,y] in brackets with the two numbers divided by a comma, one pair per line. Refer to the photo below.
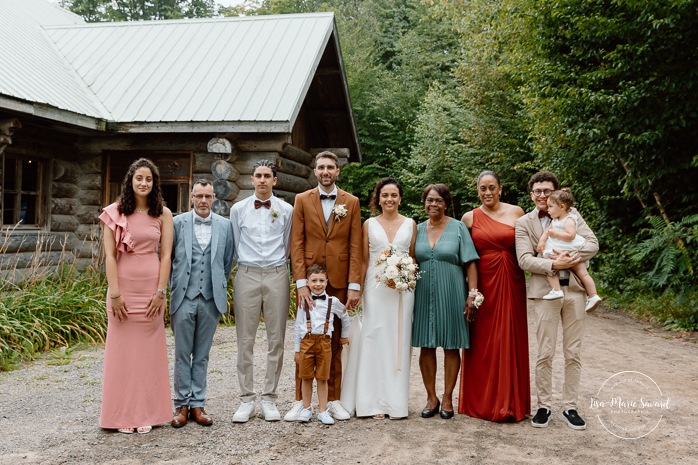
[262,235]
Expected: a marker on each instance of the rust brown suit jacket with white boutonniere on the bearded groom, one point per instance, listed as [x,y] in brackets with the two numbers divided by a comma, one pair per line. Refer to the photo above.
[338,248]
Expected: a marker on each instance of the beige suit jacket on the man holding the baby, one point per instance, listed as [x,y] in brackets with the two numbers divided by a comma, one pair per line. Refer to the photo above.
[528,232]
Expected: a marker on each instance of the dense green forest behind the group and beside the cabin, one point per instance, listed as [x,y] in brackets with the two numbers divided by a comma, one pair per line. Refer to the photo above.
[602,92]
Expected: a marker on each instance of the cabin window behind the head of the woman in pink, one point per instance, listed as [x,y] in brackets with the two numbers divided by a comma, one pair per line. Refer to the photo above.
[175,176]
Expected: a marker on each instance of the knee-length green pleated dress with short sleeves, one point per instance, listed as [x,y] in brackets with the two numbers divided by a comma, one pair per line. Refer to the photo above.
[442,290]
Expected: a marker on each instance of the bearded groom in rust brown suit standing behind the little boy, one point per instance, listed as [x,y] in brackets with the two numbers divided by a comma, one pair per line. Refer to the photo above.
[326,229]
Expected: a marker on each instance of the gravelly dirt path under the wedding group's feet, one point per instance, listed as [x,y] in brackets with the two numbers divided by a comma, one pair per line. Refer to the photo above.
[49,414]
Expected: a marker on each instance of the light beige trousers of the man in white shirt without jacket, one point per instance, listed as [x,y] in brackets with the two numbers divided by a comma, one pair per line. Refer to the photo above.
[260,292]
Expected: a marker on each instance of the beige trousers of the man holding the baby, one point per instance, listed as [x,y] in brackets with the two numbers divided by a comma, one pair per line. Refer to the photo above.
[549,313]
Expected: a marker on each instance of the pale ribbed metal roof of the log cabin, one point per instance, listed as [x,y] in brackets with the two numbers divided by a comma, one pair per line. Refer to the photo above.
[238,74]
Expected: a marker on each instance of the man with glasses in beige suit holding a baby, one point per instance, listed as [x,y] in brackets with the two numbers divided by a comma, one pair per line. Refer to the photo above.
[548,313]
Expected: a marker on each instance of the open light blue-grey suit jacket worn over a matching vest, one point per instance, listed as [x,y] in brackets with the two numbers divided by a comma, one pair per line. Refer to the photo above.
[221,259]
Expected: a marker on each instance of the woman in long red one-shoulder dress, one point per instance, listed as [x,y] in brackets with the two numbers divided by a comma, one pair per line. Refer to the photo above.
[495,380]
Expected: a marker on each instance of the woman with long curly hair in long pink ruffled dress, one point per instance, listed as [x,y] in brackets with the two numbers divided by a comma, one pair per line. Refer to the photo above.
[136,384]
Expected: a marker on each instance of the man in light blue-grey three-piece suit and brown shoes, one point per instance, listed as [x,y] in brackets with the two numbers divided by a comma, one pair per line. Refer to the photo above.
[201,261]
